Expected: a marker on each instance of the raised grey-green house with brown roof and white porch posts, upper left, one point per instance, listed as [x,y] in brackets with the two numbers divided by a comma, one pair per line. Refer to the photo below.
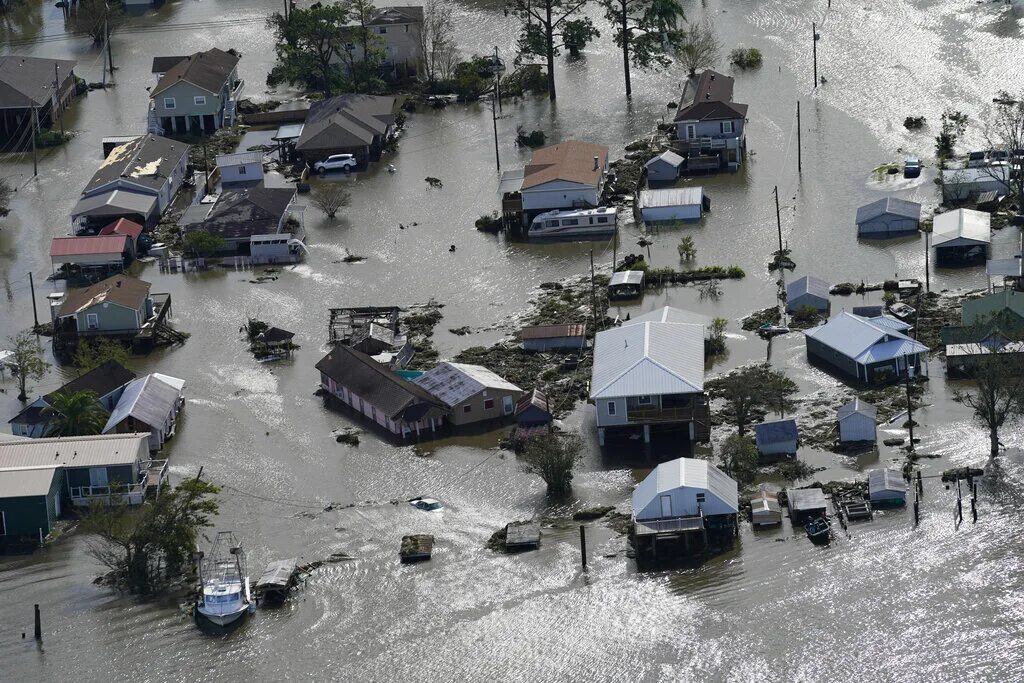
[196,95]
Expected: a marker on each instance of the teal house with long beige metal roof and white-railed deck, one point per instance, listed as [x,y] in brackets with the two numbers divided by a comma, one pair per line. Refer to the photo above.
[95,467]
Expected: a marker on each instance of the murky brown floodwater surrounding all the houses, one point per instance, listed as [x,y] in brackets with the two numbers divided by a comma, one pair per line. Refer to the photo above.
[891,603]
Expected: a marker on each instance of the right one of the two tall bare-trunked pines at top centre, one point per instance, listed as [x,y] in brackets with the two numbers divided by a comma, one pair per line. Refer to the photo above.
[647,31]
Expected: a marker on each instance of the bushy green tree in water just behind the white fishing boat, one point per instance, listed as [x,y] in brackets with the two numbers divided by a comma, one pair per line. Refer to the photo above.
[150,548]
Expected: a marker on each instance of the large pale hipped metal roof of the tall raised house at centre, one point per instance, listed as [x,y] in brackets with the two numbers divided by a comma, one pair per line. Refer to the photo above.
[650,359]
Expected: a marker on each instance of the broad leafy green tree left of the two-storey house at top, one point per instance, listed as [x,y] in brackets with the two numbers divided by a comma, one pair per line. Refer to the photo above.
[309,47]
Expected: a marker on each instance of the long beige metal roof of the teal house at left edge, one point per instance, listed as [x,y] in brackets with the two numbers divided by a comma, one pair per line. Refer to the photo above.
[74,451]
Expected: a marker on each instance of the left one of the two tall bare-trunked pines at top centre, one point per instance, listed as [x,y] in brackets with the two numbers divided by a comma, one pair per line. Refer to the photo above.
[550,26]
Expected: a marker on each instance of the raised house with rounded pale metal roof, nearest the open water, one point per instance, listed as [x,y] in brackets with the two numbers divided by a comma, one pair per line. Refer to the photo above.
[688,499]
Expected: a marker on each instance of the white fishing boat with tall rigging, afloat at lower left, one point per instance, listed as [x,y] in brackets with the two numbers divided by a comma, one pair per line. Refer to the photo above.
[225,596]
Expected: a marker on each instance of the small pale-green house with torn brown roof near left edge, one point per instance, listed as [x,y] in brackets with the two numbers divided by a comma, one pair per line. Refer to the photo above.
[114,308]
